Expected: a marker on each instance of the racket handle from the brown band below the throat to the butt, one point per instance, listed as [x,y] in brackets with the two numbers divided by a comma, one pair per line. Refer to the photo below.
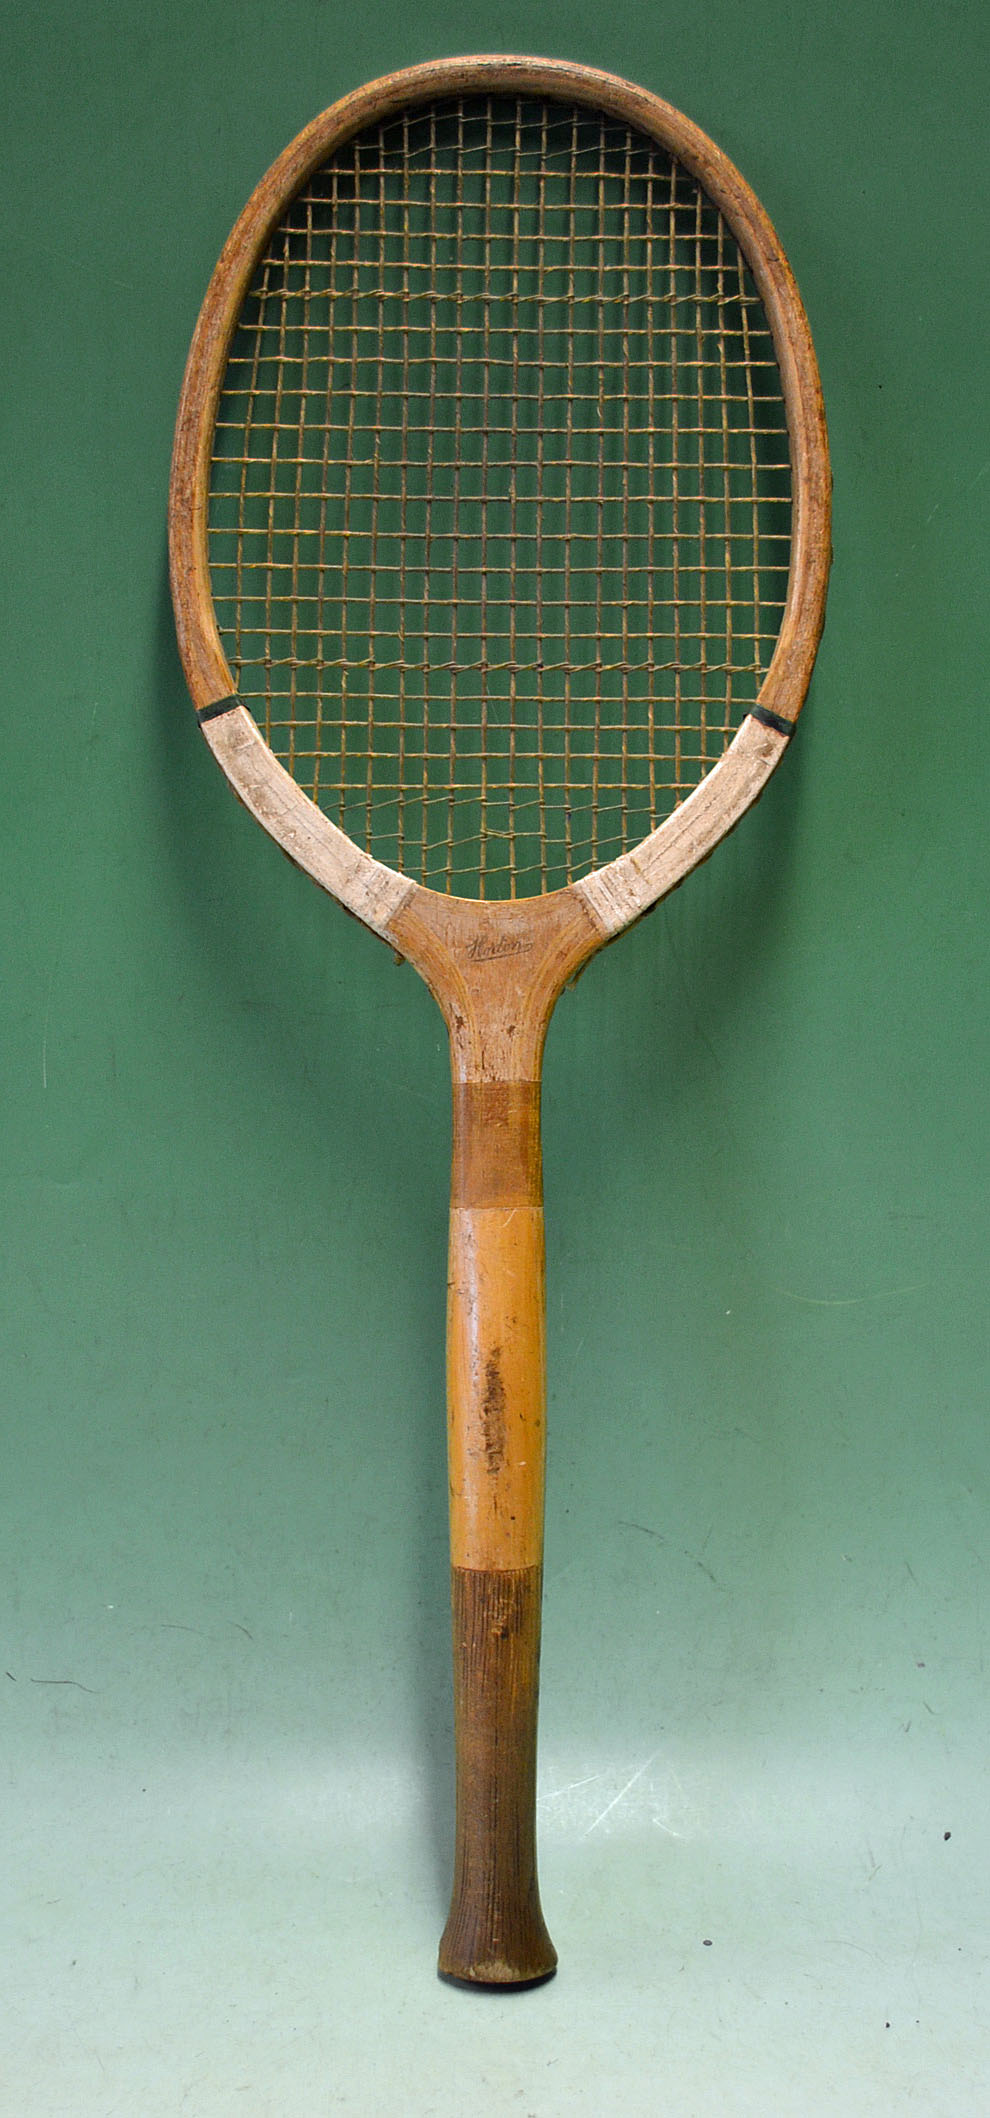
[497,1460]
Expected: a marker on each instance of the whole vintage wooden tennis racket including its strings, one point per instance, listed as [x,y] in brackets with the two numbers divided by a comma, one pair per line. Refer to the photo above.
[499,554]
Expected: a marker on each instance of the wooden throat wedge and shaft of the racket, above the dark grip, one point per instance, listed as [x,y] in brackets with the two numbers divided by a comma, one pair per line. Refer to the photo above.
[497,971]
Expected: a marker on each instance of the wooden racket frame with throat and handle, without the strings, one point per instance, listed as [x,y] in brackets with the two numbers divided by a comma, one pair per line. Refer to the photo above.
[497,971]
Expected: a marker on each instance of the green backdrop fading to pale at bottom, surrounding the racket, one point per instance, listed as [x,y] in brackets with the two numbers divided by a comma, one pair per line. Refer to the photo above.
[226,1742]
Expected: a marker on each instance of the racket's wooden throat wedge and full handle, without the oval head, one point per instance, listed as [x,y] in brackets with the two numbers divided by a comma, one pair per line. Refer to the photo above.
[497,973]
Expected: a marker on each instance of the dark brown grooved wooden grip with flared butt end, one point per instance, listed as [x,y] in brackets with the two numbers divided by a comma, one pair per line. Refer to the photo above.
[495,1933]
